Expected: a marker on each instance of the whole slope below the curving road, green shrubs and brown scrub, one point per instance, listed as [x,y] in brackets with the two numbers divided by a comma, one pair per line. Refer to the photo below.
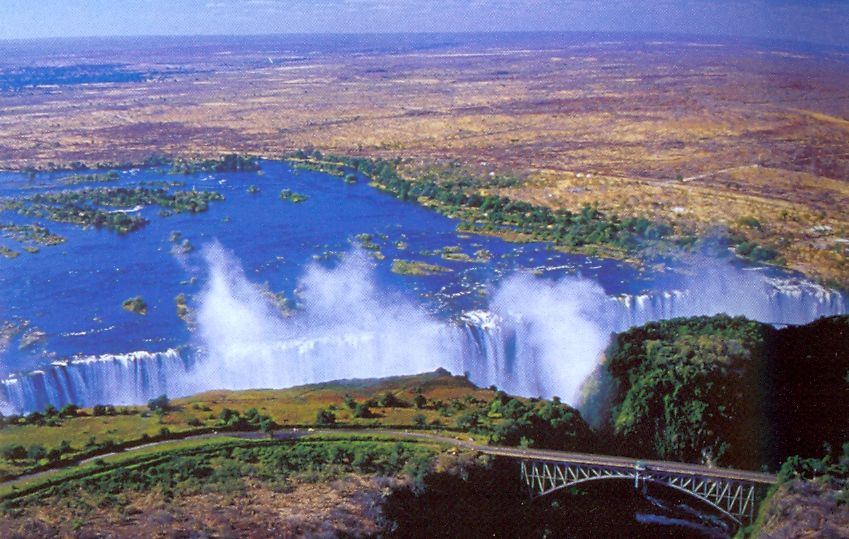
[164,479]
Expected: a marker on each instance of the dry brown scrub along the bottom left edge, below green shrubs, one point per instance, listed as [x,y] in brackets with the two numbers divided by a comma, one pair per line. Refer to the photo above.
[343,507]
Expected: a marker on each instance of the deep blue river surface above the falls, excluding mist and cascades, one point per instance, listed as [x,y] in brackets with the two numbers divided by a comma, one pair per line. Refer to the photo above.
[73,291]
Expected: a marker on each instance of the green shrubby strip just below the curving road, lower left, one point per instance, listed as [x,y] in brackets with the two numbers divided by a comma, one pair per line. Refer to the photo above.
[118,485]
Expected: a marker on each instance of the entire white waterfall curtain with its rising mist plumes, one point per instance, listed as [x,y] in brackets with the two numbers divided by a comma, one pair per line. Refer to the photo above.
[538,337]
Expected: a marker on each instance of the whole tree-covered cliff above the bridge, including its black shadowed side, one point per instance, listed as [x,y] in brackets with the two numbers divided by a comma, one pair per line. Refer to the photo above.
[728,390]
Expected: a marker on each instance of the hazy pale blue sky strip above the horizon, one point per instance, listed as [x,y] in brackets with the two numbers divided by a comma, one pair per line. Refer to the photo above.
[820,21]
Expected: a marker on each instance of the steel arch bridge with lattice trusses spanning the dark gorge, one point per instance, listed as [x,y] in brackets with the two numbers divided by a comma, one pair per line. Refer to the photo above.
[733,497]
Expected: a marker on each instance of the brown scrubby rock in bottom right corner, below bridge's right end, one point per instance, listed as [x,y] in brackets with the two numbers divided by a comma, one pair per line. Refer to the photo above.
[806,509]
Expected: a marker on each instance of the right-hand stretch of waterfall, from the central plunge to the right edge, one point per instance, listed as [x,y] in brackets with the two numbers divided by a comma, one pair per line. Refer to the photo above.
[520,357]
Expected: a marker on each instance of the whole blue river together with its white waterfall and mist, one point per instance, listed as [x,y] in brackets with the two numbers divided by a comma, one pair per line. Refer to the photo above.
[526,317]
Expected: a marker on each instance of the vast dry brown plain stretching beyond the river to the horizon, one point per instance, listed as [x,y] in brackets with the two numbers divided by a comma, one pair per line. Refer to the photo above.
[699,135]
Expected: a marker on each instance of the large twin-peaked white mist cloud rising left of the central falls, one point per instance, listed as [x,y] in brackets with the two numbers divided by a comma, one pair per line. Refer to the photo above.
[346,328]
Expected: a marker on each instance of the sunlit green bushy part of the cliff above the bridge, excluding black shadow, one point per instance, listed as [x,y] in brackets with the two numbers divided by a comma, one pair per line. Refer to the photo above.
[685,389]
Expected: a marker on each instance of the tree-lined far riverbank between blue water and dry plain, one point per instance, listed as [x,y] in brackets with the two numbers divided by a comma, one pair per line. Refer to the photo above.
[481,207]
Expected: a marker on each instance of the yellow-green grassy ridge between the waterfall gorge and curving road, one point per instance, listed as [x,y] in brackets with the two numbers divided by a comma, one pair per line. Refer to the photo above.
[287,407]
